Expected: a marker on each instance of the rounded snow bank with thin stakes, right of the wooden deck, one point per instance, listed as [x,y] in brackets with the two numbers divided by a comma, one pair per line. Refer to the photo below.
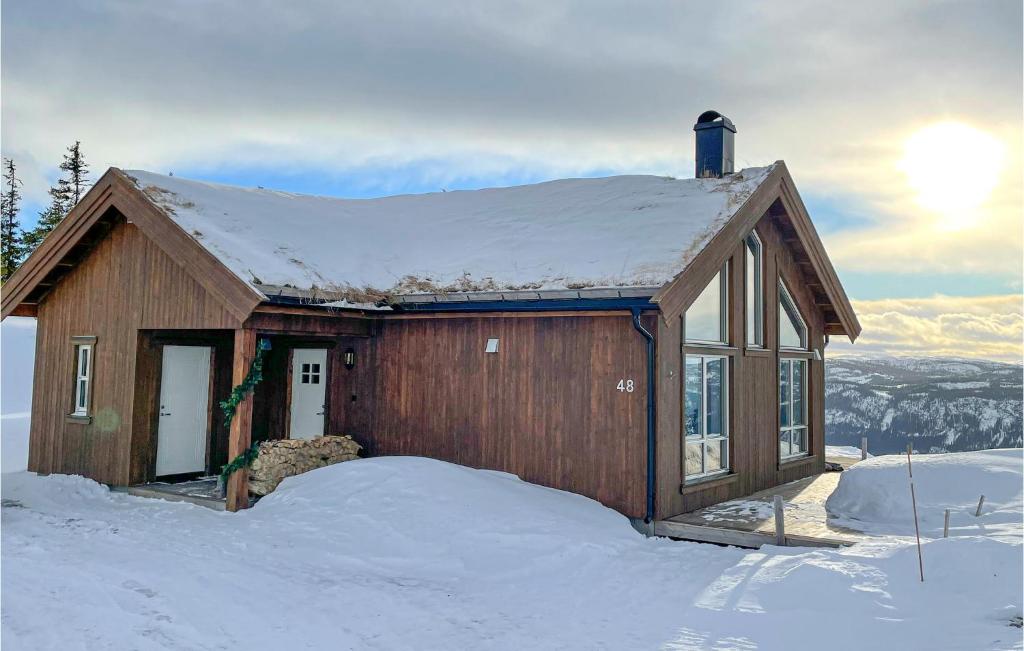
[875,495]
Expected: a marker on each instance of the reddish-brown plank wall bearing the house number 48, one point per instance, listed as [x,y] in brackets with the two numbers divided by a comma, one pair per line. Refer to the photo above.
[545,407]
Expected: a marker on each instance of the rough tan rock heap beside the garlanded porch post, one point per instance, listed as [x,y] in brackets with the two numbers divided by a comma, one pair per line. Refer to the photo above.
[285,458]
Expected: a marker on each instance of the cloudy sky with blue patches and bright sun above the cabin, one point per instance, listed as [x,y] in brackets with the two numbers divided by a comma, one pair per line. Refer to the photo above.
[902,123]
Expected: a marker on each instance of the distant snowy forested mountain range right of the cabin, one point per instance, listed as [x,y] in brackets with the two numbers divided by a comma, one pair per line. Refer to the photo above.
[936,405]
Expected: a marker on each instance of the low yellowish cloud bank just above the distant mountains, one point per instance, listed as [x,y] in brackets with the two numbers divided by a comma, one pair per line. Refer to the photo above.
[989,327]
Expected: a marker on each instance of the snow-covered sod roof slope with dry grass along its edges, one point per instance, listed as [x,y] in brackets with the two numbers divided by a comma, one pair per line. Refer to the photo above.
[620,232]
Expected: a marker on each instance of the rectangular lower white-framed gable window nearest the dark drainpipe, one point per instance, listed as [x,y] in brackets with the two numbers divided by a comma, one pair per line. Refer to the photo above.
[706,416]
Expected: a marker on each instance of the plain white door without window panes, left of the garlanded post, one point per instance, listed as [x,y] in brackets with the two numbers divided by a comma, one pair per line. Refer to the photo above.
[185,404]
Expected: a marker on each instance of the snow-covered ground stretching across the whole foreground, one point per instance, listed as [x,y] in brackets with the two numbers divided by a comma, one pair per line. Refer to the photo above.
[407,553]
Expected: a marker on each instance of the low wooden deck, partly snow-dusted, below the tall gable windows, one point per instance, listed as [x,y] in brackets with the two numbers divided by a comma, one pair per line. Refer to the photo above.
[750,522]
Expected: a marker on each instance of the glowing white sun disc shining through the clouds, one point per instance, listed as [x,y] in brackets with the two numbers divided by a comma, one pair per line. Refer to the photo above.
[953,168]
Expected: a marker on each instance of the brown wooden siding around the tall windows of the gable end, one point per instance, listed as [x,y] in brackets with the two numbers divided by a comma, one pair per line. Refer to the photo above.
[754,401]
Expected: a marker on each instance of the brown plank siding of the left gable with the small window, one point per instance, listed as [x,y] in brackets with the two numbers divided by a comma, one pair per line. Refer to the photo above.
[125,285]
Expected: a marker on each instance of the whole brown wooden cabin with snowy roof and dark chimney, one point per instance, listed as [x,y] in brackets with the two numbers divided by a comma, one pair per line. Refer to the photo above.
[656,344]
